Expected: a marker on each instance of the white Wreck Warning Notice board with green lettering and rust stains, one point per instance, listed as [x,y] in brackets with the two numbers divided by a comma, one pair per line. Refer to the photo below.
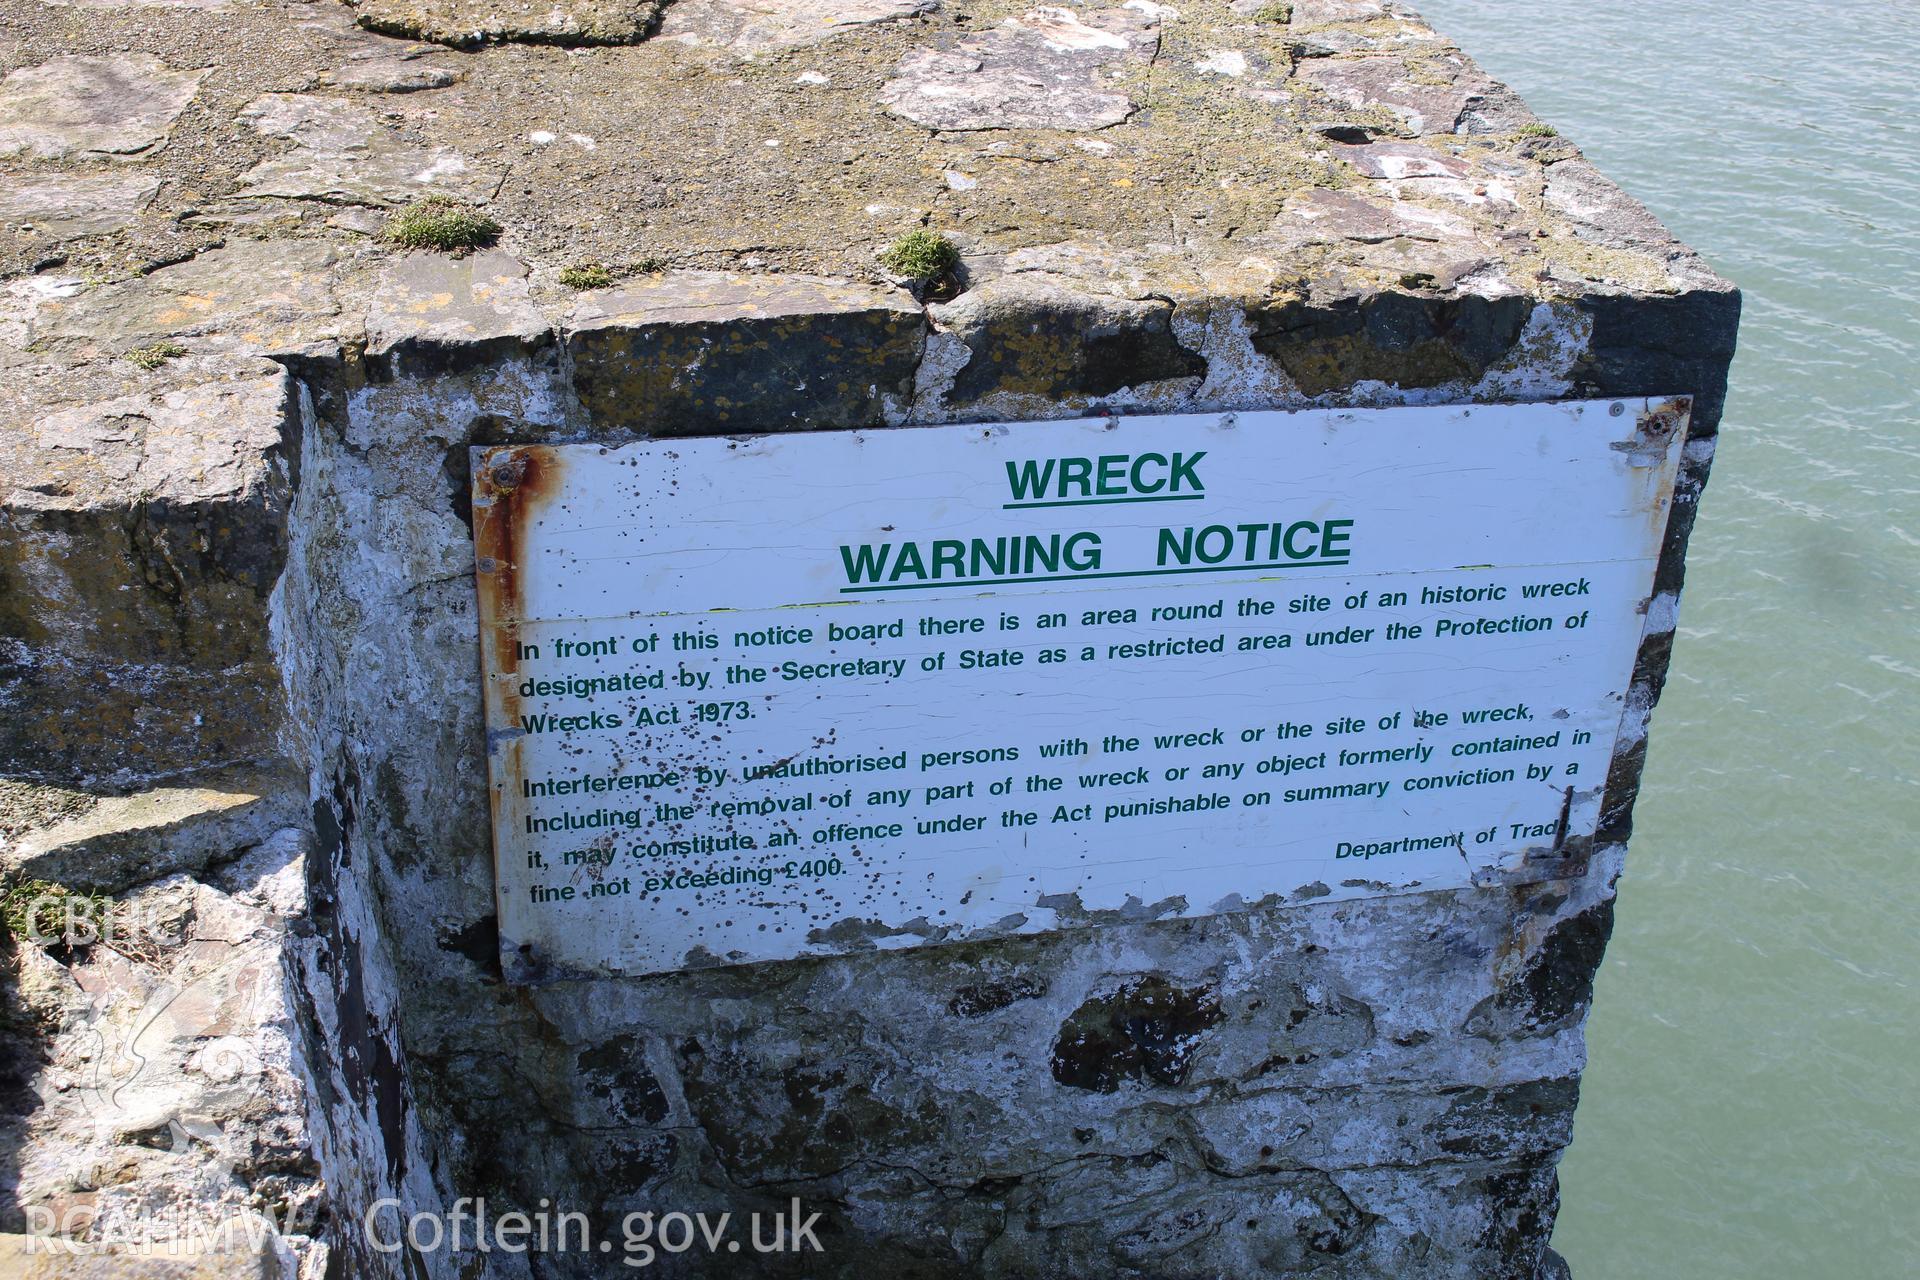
[786,696]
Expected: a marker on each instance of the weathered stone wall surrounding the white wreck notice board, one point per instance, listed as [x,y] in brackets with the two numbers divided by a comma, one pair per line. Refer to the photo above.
[245,571]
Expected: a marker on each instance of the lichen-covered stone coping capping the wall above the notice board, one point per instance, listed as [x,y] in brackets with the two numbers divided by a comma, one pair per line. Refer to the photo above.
[1147,208]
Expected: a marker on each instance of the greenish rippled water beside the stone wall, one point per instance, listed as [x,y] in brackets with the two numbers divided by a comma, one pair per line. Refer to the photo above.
[1754,1097]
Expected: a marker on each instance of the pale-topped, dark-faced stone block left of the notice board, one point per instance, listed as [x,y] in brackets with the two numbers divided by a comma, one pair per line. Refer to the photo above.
[139,542]
